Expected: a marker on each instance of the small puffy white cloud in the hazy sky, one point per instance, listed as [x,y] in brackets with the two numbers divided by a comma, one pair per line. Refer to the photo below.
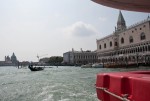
[80,29]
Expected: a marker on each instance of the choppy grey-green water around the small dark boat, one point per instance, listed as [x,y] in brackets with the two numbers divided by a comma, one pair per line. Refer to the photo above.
[51,84]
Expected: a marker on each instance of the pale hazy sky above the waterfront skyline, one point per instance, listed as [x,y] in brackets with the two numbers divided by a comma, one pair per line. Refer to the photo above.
[52,27]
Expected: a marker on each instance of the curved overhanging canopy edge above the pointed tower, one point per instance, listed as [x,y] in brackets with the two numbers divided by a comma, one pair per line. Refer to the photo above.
[132,5]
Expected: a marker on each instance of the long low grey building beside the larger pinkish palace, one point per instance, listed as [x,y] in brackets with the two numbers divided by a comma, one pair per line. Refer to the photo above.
[80,57]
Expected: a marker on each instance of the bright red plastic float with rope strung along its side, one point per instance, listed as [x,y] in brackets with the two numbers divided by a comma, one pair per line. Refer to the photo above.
[131,86]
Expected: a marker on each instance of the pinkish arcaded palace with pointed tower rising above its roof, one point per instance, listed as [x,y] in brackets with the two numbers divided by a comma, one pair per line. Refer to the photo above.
[126,44]
